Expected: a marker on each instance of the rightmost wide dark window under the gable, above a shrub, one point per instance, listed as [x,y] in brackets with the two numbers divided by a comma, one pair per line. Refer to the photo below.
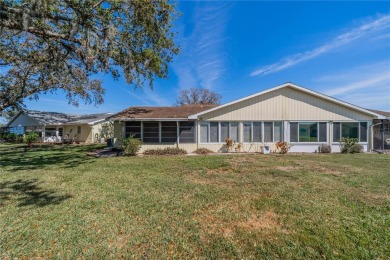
[357,130]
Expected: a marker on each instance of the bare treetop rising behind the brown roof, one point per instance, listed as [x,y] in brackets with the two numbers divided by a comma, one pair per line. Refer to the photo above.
[198,96]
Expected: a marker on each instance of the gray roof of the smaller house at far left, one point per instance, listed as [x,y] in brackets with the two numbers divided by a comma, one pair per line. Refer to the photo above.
[55,118]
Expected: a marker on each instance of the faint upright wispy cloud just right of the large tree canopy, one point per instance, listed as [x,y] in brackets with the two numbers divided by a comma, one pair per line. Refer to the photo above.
[202,60]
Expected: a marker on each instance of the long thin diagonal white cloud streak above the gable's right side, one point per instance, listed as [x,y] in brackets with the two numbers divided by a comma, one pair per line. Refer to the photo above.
[353,34]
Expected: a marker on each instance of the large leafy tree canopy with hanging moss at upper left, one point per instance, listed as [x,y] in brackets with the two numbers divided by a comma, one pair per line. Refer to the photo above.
[48,45]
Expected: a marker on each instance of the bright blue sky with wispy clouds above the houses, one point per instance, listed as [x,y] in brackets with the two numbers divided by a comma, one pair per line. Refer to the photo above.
[237,48]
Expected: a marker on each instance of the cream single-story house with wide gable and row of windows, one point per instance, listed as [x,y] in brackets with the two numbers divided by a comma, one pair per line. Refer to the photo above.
[290,113]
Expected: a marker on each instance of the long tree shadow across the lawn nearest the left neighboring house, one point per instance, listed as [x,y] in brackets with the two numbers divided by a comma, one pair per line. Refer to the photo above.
[23,158]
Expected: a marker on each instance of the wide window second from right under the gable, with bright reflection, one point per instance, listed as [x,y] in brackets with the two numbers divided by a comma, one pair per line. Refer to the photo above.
[307,132]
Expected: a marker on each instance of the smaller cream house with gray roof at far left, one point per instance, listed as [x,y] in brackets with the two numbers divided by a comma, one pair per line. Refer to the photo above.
[55,127]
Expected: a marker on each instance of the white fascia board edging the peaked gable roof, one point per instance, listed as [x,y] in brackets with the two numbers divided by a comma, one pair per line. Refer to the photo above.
[314,93]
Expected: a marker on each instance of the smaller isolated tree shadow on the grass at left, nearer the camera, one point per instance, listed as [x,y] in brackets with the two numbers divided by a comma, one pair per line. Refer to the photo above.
[30,192]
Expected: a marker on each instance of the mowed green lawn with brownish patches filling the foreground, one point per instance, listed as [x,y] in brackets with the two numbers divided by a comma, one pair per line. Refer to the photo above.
[57,202]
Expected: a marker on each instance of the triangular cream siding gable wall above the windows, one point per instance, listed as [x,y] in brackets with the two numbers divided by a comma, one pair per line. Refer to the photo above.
[286,104]
